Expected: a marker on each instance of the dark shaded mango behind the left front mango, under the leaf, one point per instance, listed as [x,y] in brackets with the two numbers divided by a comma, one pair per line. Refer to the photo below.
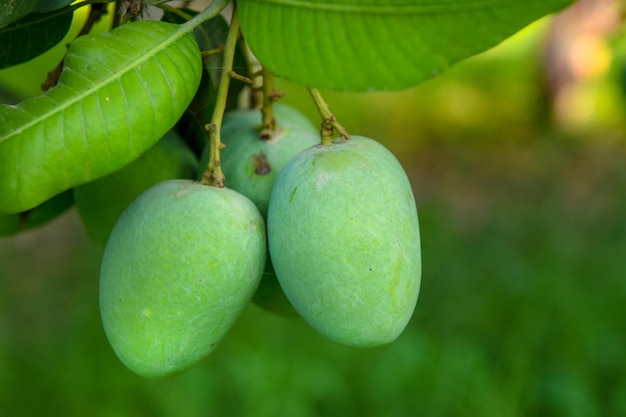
[101,202]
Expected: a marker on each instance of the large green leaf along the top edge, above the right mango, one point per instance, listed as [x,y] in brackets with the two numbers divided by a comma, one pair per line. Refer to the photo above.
[364,45]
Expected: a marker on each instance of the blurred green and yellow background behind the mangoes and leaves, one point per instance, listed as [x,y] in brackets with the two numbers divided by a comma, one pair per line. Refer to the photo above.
[517,158]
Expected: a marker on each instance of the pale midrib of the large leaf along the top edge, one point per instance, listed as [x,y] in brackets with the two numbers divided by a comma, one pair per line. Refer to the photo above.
[452,7]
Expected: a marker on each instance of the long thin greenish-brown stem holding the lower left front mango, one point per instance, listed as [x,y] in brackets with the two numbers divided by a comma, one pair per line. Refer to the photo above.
[213,174]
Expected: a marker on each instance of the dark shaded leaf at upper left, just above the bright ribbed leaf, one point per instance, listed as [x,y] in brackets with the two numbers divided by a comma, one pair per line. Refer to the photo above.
[33,35]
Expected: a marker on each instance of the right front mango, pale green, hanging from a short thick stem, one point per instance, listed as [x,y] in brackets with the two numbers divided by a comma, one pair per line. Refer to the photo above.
[344,240]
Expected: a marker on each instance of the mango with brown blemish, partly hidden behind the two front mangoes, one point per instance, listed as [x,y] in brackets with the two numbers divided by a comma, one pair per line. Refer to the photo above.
[251,165]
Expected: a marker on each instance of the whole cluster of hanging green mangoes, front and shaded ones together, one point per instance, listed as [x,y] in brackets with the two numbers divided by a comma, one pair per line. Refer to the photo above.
[326,231]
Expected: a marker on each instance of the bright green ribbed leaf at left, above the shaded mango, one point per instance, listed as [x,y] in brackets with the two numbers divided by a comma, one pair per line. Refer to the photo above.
[118,94]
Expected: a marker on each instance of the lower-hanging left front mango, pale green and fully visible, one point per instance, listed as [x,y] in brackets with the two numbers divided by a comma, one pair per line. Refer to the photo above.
[182,263]
